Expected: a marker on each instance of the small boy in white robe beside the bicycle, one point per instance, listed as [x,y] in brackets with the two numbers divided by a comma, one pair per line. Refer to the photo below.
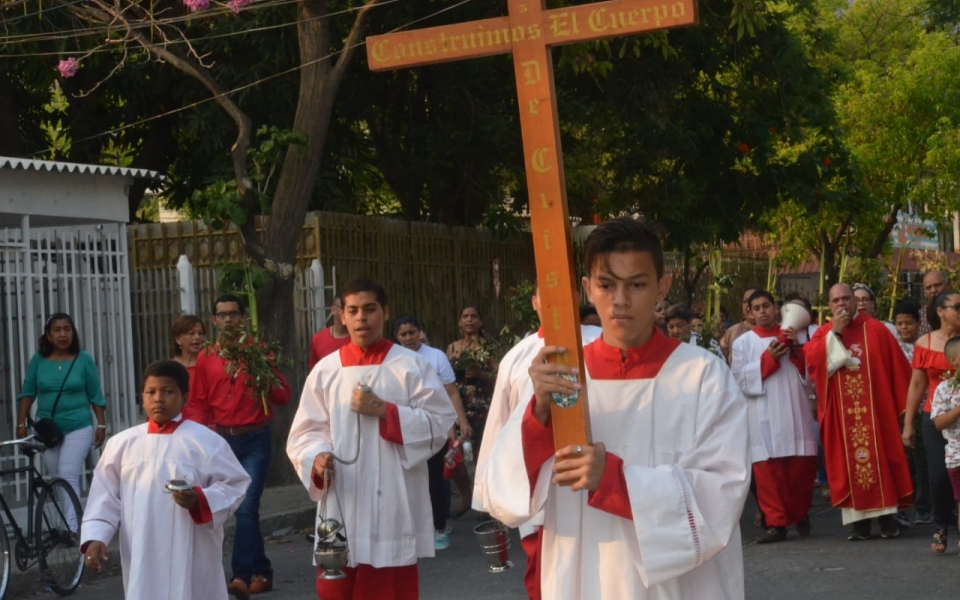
[171,543]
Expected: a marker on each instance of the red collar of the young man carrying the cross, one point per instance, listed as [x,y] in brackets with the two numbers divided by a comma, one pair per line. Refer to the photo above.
[641,362]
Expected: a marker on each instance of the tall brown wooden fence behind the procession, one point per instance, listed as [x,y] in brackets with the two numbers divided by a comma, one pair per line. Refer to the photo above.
[427,269]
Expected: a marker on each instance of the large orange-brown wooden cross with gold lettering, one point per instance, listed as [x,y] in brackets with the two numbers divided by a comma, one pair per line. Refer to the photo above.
[529,31]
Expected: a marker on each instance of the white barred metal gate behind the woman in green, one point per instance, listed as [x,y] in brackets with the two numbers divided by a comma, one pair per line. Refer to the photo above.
[80,270]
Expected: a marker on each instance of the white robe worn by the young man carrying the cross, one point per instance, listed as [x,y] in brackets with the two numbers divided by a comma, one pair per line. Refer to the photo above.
[680,435]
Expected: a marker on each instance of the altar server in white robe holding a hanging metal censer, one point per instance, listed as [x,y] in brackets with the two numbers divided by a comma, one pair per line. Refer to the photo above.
[383,498]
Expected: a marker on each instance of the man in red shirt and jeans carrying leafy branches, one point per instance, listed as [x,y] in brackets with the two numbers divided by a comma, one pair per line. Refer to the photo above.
[229,405]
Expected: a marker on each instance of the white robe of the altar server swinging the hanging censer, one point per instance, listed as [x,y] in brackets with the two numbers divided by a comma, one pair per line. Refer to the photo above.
[384,497]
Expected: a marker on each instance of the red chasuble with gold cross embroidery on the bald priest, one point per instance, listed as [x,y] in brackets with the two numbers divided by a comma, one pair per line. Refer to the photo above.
[858,409]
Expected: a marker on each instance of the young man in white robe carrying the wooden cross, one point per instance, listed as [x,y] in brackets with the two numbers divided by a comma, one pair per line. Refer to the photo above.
[651,509]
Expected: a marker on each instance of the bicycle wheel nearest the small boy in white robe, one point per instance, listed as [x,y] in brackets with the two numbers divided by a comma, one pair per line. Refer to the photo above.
[57,530]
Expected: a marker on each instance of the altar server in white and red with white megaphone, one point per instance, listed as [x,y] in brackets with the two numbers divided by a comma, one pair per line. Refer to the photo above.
[768,366]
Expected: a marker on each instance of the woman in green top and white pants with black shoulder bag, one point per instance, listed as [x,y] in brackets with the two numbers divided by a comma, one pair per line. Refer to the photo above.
[60,362]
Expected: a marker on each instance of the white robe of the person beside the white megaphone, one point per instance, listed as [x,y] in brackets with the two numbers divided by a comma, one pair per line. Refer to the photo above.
[778,410]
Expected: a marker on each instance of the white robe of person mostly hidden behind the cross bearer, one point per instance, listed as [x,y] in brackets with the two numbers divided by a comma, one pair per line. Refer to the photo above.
[512,389]
